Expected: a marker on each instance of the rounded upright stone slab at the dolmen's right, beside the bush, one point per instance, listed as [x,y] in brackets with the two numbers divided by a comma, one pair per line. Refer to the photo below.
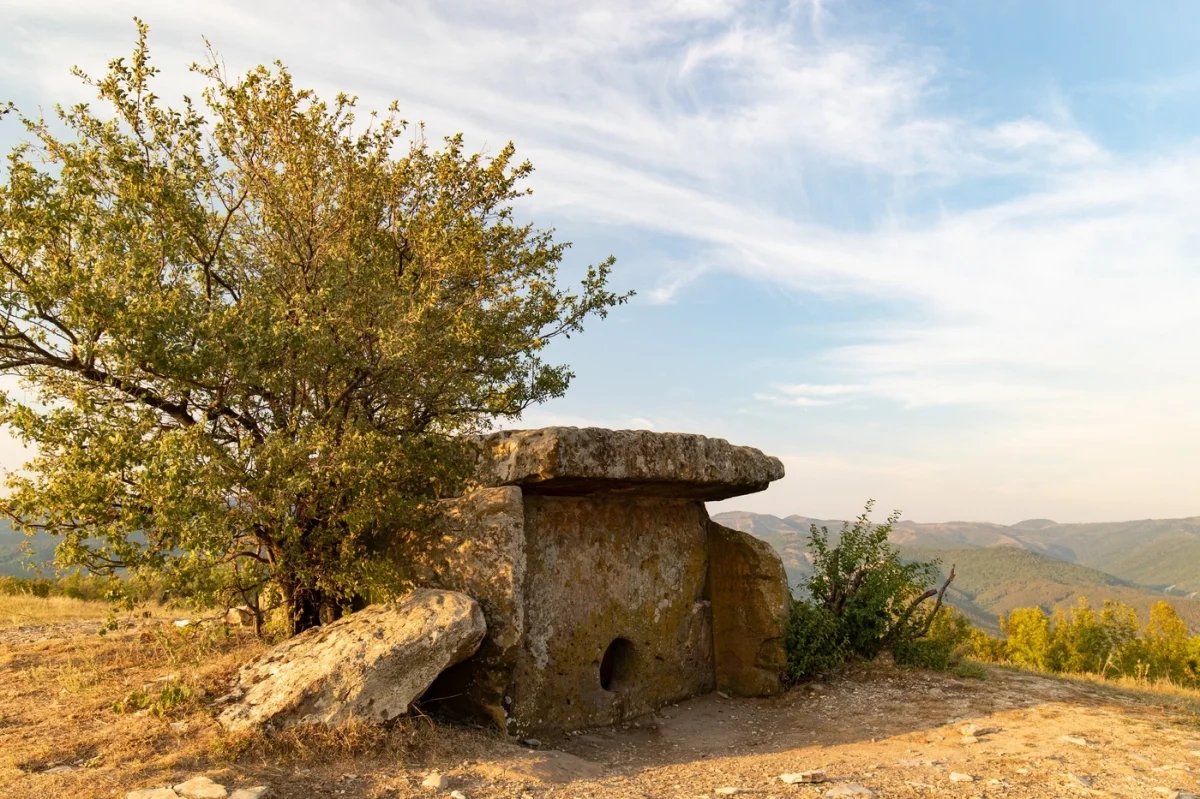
[751,602]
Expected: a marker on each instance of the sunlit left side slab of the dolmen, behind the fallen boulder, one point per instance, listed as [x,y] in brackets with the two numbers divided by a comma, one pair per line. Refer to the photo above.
[479,550]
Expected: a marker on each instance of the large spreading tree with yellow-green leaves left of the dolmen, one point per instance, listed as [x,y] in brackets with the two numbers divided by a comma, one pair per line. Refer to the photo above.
[257,335]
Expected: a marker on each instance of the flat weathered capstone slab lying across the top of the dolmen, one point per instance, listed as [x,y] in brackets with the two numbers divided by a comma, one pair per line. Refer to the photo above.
[573,461]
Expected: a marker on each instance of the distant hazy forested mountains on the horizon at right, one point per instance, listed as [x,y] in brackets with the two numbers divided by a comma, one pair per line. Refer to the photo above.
[1034,563]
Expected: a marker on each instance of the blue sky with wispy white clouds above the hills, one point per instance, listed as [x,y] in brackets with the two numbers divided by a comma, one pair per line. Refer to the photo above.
[940,255]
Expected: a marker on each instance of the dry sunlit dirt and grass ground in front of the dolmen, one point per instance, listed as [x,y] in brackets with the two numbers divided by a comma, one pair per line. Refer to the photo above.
[897,732]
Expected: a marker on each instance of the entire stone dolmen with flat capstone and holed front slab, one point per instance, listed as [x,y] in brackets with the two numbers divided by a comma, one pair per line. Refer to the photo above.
[607,588]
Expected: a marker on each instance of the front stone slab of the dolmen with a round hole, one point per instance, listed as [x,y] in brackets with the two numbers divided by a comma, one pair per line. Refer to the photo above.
[627,573]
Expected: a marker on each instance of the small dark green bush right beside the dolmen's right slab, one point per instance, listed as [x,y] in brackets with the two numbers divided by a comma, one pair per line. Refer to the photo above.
[863,599]
